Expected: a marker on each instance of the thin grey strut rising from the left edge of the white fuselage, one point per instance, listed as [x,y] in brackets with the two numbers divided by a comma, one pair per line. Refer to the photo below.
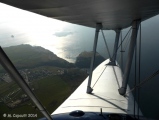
[98,27]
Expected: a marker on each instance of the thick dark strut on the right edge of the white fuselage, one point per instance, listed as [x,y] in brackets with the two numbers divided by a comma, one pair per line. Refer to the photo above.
[135,27]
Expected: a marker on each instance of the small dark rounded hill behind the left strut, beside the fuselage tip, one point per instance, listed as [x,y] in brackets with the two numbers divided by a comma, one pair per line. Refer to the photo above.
[84,59]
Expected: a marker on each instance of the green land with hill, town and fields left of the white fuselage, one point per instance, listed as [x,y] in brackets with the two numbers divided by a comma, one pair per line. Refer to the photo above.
[51,78]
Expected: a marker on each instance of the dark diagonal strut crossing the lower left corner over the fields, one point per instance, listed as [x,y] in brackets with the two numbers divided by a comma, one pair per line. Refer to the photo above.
[14,74]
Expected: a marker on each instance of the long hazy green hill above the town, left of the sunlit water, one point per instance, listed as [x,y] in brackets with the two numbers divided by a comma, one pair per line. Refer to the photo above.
[27,56]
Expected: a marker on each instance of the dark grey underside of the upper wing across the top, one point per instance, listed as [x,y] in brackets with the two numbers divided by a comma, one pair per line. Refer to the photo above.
[112,14]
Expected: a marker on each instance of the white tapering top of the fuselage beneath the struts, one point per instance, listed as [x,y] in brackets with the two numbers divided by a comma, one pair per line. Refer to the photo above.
[105,94]
